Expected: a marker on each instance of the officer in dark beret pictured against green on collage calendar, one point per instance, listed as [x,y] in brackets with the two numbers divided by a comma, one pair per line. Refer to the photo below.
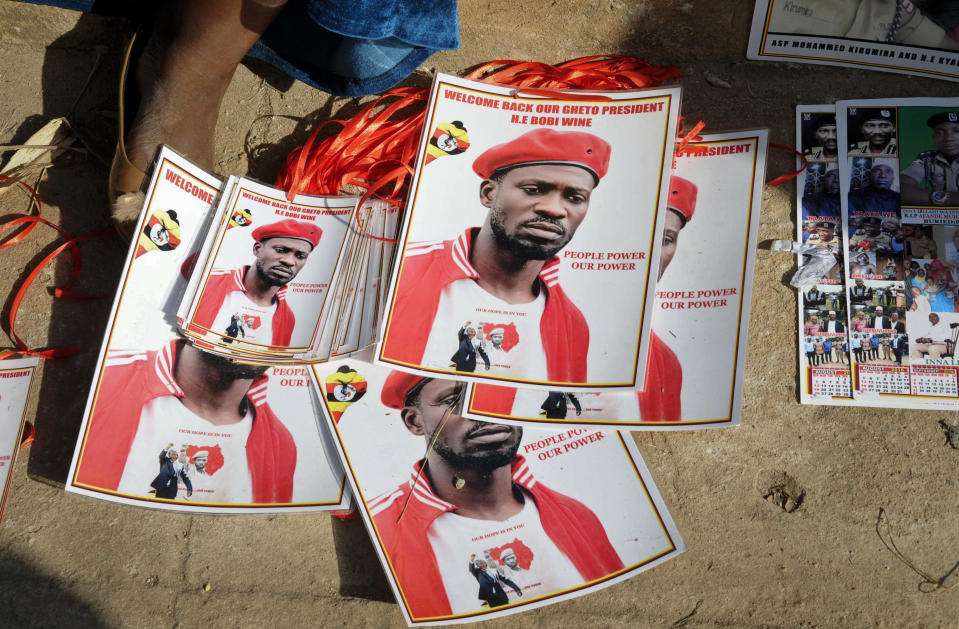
[932,176]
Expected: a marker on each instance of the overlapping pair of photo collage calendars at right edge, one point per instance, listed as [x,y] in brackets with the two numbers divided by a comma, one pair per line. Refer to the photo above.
[895,329]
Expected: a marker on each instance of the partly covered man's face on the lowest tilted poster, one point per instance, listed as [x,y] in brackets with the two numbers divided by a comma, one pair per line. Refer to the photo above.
[463,443]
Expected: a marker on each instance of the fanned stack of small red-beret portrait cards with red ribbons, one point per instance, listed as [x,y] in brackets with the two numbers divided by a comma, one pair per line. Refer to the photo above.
[288,281]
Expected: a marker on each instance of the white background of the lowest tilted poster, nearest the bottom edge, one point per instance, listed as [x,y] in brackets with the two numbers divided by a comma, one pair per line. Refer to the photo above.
[379,452]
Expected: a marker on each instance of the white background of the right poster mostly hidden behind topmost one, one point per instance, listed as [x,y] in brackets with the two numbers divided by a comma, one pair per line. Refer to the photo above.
[715,251]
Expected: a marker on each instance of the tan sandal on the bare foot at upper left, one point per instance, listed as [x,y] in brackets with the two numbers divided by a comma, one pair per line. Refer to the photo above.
[126,181]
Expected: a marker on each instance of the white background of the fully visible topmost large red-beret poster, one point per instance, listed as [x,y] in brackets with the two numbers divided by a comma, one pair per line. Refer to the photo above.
[624,214]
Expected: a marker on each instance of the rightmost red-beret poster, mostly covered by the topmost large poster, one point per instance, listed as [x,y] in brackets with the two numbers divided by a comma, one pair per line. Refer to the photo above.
[701,312]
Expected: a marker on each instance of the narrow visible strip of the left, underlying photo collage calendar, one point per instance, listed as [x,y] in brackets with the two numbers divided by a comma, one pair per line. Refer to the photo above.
[824,374]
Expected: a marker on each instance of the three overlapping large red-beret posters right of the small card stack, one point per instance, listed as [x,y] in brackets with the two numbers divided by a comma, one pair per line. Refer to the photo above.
[535,291]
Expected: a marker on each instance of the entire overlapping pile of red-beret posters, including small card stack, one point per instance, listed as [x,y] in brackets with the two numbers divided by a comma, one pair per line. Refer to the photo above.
[561,272]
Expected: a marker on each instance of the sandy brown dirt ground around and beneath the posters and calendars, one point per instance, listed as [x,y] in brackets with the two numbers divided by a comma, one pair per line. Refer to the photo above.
[779,515]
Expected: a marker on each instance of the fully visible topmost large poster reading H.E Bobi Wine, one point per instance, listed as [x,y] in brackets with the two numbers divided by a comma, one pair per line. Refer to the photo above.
[523,212]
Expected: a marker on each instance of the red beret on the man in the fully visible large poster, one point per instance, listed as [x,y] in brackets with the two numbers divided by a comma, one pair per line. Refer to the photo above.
[545,146]
